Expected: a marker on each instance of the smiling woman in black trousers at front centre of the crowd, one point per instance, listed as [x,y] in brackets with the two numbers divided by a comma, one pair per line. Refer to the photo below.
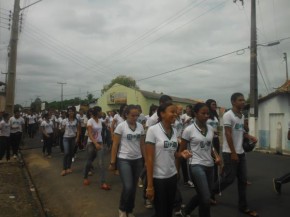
[161,145]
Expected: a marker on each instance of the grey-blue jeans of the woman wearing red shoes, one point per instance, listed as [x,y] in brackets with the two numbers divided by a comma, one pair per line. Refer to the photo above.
[92,153]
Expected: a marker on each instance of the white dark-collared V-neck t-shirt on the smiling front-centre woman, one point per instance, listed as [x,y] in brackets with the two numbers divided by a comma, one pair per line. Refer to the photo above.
[164,160]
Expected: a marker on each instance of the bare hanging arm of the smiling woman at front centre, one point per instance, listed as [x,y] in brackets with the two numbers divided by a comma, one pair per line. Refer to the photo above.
[150,153]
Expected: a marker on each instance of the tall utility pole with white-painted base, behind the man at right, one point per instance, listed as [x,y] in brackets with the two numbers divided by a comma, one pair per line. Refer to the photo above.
[253,73]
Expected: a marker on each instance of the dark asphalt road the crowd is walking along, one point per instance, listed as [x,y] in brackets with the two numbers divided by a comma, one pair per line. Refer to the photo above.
[66,196]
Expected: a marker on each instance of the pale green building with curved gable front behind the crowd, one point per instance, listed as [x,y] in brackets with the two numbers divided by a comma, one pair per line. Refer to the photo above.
[119,94]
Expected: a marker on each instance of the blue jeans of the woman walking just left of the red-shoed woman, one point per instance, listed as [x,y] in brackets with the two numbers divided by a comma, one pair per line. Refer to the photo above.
[68,145]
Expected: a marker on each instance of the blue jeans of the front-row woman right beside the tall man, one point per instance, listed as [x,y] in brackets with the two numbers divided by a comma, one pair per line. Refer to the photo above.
[202,178]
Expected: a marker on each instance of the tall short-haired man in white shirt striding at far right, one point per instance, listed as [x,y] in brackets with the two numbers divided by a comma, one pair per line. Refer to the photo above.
[233,154]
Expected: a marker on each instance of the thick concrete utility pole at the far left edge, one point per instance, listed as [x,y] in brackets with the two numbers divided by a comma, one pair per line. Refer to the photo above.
[10,85]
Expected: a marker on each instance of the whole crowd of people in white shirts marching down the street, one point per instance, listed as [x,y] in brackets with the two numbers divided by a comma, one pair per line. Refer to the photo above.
[147,150]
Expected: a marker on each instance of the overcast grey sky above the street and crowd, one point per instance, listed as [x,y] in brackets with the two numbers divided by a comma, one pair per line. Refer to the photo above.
[87,43]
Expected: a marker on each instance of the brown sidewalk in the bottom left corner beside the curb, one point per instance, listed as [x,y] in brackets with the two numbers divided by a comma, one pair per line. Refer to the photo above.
[17,194]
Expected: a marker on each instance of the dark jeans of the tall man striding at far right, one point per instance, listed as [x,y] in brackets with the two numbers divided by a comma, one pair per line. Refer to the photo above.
[231,170]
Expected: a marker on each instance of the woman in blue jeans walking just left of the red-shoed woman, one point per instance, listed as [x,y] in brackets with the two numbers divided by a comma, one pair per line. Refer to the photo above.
[71,128]
